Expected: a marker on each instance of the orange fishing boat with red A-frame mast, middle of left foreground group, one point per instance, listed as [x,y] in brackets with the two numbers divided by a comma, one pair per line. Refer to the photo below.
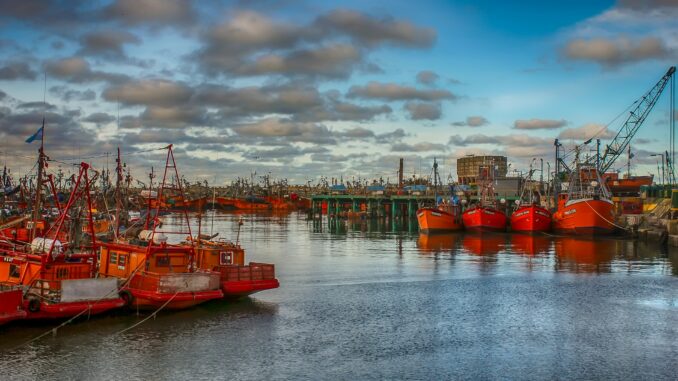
[157,274]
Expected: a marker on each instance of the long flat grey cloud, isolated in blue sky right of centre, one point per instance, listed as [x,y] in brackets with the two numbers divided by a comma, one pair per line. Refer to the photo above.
[395,92]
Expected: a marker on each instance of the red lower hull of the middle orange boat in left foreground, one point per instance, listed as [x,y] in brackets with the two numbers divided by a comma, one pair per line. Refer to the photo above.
[149,300]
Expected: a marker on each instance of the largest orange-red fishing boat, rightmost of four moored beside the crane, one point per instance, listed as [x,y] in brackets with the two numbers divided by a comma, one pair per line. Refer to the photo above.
[587,208]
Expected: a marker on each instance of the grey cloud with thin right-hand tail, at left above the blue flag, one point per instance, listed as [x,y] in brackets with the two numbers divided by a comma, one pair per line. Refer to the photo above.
[77,70]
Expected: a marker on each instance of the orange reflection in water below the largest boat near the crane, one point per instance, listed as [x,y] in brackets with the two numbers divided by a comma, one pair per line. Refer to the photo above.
[585,255]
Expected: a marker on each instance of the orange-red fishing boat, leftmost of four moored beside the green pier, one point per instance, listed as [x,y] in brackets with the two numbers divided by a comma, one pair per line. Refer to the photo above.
[445,216]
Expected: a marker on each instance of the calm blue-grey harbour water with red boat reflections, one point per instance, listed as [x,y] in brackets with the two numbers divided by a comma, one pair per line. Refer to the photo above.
[367,301]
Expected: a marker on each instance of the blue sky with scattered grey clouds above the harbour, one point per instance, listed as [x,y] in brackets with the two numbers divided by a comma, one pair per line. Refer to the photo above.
[304,89]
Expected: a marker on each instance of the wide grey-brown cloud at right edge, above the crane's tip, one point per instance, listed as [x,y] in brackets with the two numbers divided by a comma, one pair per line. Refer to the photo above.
[611,53]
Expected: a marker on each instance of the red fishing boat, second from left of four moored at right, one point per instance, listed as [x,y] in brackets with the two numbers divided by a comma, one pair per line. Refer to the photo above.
[485,216]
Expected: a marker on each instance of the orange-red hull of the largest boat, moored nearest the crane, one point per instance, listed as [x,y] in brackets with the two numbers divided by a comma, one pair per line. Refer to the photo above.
[585,217]
